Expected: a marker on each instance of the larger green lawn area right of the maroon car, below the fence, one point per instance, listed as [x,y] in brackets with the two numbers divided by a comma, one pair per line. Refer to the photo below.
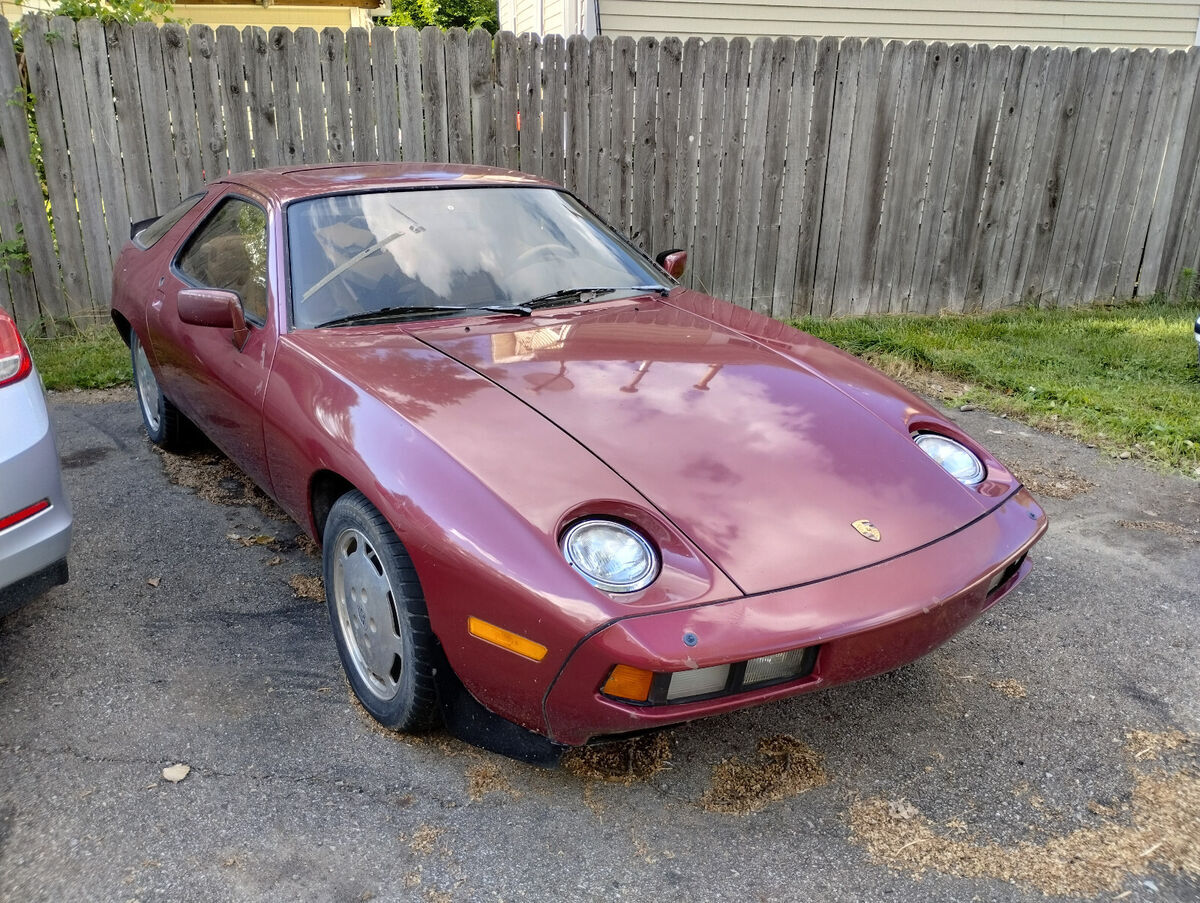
[1123,378]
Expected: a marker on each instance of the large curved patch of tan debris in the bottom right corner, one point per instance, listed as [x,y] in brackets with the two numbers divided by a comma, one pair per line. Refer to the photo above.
[1157,829]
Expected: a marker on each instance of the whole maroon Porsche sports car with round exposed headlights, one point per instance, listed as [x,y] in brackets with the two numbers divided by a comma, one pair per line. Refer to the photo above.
[561,498]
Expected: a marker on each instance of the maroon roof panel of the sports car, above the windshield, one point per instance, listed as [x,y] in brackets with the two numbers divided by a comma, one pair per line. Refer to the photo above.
[285,184]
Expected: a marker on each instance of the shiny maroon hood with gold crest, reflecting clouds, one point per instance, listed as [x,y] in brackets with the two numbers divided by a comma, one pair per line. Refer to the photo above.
[758,458]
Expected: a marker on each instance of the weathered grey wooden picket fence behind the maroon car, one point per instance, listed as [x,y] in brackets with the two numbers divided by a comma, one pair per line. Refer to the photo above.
[805,177]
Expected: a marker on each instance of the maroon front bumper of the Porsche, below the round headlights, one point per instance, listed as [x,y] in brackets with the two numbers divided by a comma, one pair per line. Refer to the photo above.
[863,624]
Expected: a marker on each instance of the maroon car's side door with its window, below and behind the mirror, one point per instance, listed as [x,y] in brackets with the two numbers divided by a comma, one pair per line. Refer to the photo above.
[218,384]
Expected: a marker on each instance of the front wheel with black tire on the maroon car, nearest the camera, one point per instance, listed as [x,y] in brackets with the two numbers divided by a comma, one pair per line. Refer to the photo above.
[379,614]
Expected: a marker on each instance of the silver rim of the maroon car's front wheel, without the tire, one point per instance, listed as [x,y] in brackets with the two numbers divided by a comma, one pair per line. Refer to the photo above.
[367,614]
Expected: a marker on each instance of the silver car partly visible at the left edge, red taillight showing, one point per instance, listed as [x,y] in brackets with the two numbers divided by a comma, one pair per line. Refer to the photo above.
[35,515]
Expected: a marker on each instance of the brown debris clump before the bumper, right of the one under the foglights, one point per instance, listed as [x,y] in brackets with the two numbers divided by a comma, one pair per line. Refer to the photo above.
[784,768]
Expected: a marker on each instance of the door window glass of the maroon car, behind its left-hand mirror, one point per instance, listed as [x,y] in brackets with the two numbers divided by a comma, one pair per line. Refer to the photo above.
[230,252]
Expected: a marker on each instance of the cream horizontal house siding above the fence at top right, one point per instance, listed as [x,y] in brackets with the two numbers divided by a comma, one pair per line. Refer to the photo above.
[1072,23]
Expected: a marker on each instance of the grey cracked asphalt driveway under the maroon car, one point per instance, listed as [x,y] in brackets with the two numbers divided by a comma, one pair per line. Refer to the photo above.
[1052,749]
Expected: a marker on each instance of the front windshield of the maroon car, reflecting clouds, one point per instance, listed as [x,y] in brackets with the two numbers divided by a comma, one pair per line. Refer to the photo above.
[451,248]
